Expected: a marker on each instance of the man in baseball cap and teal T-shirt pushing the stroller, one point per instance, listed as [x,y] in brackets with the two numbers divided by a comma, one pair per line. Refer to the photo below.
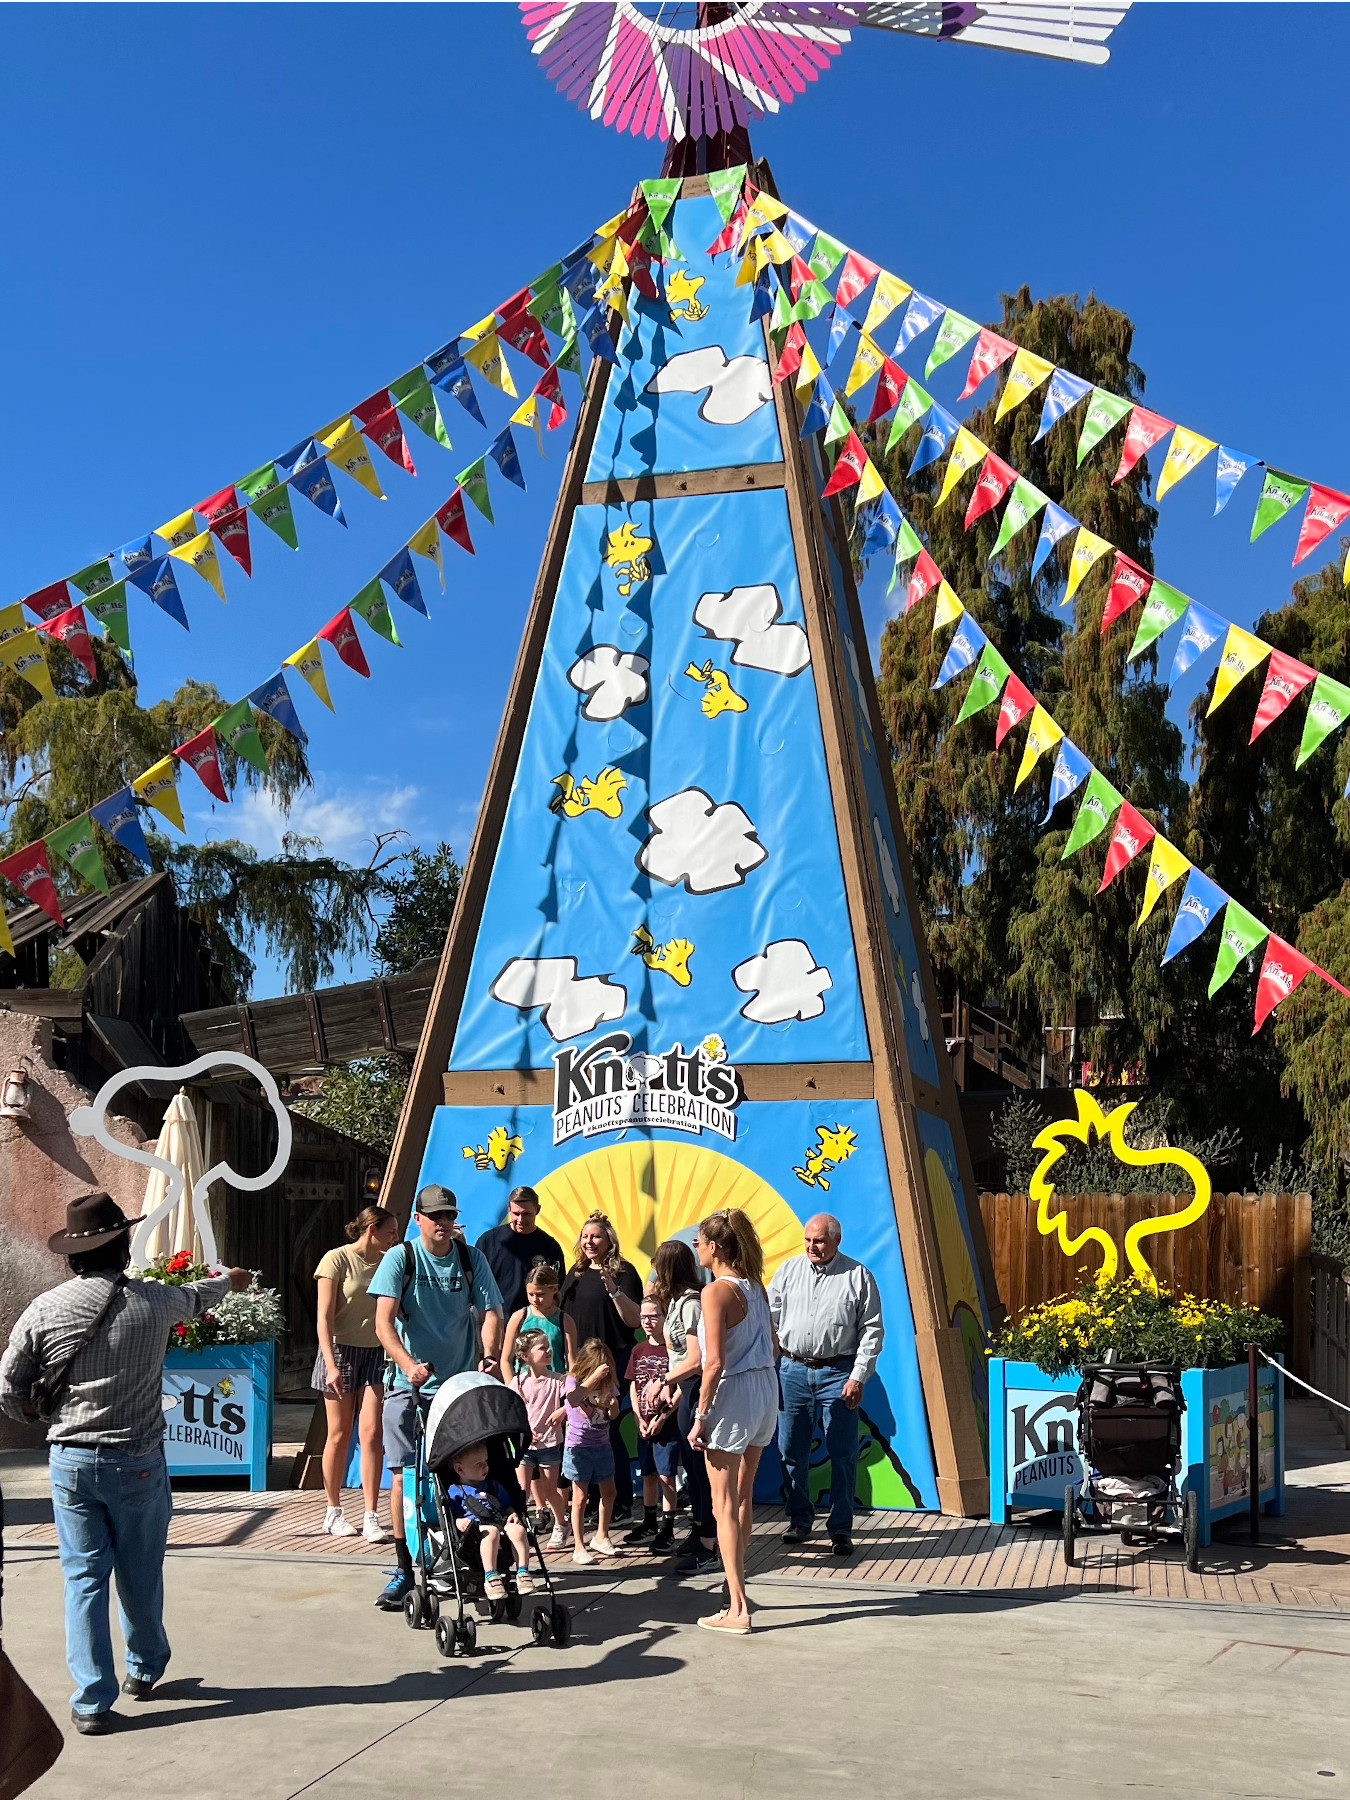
[438,1313]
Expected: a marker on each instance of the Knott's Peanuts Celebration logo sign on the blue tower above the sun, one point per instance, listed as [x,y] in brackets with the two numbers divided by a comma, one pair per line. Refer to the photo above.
[611,1086]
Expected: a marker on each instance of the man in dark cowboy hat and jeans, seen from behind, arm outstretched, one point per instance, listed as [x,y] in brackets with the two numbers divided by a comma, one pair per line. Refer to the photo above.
[89,1358]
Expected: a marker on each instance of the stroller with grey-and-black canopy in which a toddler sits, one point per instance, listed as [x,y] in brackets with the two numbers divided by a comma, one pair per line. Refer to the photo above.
[447,1567]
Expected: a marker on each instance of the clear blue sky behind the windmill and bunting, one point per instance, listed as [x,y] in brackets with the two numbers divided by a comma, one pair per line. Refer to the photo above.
[229,224]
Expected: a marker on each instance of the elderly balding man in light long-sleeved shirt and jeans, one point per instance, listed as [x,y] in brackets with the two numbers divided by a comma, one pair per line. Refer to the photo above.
[829,1320]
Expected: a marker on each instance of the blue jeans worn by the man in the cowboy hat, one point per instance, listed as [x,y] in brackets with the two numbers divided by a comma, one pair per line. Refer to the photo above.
[112,1520]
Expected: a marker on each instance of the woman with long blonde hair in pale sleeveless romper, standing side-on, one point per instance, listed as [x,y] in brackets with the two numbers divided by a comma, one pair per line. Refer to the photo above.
[737,1398]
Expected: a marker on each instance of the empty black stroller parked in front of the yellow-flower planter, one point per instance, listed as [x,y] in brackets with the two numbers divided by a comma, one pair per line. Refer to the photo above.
[1129,1439]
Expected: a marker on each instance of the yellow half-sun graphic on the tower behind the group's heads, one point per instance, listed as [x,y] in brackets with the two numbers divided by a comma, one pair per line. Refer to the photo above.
[656,1191]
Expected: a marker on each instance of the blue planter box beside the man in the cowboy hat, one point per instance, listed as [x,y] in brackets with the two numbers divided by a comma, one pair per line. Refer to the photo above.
[219,1410]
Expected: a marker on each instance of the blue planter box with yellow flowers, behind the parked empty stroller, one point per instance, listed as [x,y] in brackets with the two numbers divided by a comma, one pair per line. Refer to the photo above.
[1034,1428]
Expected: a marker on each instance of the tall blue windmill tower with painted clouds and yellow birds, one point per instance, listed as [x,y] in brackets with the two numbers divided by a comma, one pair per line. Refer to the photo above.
[687,967]
